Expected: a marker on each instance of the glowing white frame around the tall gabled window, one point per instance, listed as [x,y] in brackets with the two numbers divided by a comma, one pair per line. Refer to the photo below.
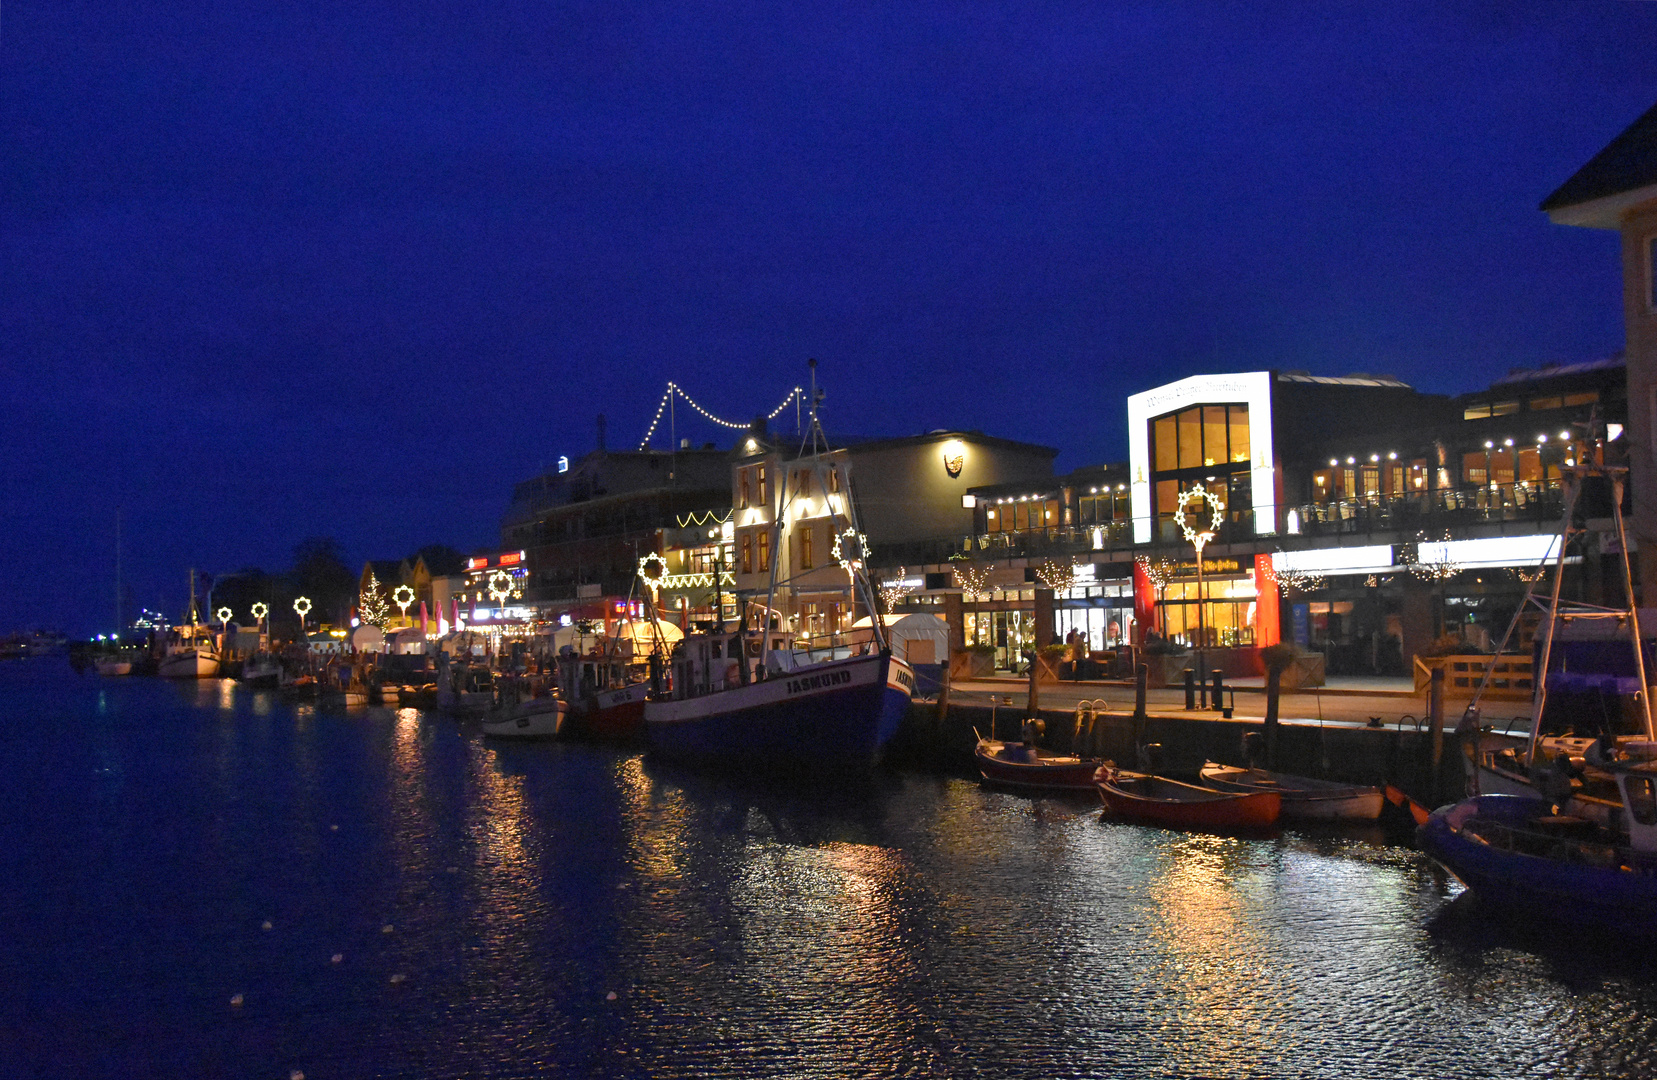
[1254,390]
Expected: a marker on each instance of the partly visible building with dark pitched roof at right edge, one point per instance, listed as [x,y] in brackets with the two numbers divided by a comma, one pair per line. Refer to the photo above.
[1618,191]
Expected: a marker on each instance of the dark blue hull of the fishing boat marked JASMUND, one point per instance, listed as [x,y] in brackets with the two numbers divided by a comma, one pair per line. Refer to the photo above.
[841,713]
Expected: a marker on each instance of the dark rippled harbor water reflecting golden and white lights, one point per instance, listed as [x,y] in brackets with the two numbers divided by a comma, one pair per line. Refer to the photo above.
[208,882]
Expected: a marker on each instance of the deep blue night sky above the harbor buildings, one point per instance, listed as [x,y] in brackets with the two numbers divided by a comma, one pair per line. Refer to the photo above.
[289,269]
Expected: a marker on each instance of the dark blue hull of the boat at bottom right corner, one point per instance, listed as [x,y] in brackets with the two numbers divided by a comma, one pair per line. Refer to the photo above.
[1529,885]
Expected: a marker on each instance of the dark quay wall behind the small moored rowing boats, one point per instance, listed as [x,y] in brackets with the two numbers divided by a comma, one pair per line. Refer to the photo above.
[1336,753]
